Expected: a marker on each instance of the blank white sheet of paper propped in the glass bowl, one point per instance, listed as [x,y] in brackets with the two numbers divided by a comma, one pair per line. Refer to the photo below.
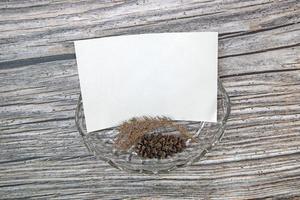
[162,74]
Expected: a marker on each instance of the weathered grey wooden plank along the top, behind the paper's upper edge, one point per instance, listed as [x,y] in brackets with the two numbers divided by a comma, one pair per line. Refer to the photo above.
[255,27]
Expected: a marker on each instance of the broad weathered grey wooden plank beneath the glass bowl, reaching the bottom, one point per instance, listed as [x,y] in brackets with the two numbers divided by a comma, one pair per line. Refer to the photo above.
[48,157]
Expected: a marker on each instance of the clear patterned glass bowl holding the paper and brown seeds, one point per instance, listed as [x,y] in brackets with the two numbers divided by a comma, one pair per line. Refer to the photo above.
[207,135]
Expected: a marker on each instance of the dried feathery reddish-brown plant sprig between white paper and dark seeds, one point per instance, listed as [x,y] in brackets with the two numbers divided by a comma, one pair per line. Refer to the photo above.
[131,131]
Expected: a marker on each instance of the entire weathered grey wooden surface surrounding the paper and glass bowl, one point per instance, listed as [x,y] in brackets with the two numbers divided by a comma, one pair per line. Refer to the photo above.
[42,155]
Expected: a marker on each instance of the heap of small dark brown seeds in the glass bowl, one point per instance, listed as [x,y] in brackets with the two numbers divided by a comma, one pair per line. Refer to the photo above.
[159,146]
